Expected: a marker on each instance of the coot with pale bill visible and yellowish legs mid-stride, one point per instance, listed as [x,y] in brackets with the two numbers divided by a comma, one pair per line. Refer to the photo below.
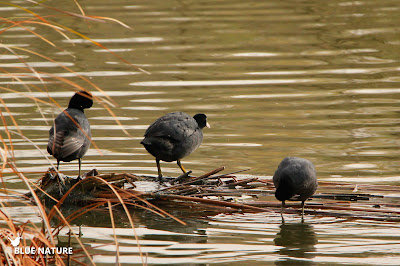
[173,137]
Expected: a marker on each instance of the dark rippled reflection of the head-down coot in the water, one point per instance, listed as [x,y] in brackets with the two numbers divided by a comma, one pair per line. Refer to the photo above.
[297,242]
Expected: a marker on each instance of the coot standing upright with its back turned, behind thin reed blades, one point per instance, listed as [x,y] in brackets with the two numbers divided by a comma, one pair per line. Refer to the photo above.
[70,134]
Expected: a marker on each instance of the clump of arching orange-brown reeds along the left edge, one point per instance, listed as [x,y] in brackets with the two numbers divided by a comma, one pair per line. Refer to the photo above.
[33,234]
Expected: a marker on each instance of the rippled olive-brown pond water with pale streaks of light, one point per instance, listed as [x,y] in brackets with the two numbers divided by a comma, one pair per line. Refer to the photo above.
[313,79]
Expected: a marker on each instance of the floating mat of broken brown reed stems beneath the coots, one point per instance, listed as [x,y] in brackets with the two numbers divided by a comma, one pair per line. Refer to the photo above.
[342,205]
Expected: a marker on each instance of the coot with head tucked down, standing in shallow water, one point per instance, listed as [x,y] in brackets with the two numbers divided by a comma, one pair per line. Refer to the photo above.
[295,178]
